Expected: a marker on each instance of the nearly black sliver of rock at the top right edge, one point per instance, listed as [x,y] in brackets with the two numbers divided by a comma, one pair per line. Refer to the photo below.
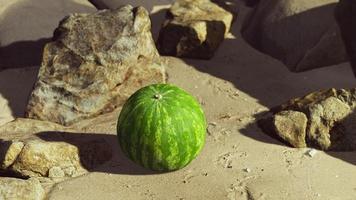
[346,18]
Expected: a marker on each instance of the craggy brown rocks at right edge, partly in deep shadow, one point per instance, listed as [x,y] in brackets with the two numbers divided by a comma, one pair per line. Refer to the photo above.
[330,116]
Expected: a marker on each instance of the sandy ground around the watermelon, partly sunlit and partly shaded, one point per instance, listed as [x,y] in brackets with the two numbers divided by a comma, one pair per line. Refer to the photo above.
[238,162]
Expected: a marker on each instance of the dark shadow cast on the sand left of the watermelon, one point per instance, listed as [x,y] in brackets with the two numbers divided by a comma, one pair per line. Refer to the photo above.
[98,152]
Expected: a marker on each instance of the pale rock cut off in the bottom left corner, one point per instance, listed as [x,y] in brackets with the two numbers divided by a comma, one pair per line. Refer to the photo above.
[19,189]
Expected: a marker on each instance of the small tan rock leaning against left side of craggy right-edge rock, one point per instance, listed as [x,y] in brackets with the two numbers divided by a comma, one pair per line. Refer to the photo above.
[291,127]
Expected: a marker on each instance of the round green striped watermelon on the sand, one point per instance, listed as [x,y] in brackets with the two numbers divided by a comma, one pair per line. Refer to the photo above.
[161,127]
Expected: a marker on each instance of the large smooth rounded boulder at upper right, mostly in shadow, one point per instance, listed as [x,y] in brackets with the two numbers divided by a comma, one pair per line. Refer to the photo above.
[303,34]
